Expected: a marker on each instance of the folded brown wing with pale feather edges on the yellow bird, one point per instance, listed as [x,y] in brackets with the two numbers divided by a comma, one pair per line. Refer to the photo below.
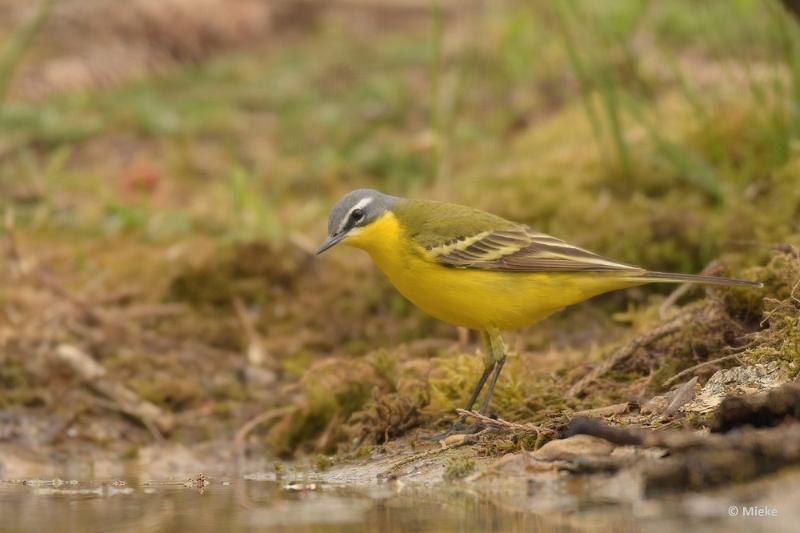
[522,250]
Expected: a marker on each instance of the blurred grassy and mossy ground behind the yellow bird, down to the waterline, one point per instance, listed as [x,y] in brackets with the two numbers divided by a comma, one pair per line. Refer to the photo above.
[166,169]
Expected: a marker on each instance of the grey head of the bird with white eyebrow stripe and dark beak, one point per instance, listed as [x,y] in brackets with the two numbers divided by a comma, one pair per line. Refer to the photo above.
[354,211]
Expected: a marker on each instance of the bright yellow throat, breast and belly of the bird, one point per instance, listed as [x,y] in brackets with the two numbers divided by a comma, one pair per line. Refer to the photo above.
[477,299]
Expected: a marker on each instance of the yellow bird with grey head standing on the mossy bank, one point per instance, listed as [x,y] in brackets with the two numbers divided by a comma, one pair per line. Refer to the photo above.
[476,270]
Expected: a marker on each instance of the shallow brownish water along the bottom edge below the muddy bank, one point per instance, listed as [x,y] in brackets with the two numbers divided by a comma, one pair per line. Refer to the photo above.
[266,505]
